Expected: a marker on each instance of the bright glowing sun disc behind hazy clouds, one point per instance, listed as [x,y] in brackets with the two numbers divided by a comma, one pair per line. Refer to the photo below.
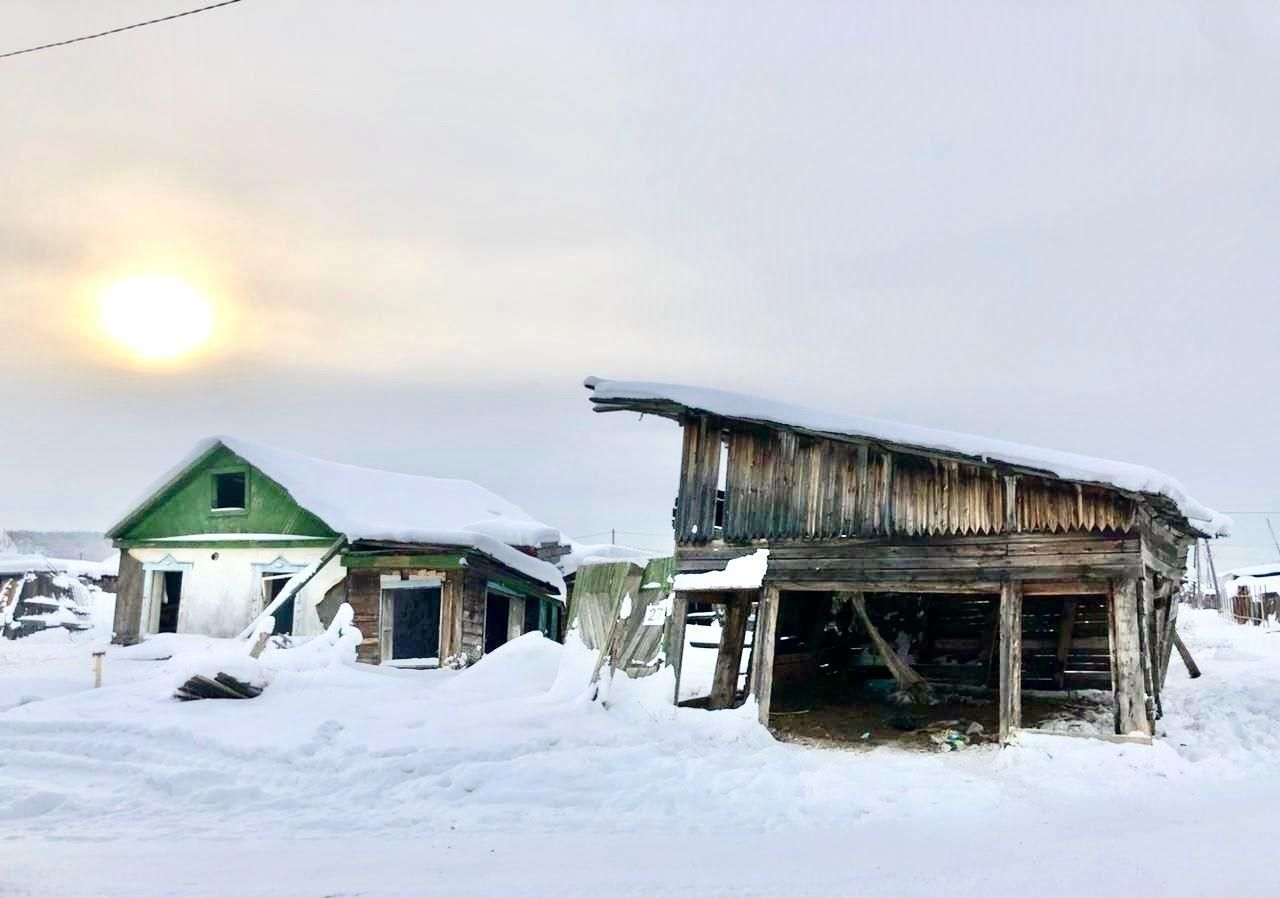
[157,319]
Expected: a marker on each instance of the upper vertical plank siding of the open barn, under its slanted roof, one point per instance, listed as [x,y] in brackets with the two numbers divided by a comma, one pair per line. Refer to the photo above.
[785,485]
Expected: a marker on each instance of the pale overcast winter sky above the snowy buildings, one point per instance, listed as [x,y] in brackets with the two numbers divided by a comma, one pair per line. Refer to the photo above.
[423,224]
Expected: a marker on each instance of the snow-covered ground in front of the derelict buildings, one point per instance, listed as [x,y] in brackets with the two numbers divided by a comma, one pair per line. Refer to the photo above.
[353,781]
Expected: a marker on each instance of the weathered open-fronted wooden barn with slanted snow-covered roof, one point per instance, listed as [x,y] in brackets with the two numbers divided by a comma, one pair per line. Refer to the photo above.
[986,565]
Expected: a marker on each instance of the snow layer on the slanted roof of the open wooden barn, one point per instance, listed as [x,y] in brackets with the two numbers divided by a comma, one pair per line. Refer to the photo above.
[1067,466]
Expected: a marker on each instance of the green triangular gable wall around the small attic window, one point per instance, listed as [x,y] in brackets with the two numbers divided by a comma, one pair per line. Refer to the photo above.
[186,507]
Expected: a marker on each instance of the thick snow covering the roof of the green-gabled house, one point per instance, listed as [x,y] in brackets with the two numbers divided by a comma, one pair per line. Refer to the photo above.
[385,506]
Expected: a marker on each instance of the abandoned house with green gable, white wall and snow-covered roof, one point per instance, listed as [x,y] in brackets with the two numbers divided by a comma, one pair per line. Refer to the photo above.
[436,570]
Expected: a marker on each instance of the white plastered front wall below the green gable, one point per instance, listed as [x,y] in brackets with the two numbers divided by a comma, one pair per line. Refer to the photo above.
[222,595]
